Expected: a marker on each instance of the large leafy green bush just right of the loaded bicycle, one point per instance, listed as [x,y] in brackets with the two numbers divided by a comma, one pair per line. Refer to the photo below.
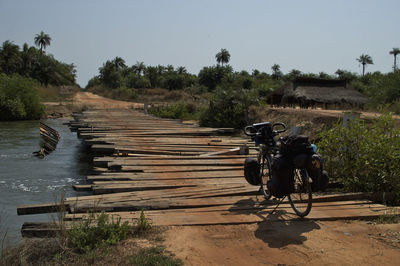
[364,156]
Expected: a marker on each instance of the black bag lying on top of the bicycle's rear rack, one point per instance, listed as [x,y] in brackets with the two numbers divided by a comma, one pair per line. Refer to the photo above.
[295,145]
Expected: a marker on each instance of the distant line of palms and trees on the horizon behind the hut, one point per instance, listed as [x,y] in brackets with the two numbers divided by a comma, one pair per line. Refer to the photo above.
[116,74]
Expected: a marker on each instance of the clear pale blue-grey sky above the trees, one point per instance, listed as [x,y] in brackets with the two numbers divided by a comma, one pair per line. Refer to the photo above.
[309,35]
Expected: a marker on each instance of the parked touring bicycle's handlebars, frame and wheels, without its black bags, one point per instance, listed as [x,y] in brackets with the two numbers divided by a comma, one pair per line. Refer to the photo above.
[300,195]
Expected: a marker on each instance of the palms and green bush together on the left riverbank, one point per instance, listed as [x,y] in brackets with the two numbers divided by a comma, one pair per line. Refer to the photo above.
[22,70]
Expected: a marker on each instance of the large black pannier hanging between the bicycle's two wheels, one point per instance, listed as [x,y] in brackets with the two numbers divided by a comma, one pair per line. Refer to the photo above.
[281,182]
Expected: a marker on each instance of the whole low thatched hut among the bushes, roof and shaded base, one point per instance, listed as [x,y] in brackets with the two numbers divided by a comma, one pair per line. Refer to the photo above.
[313,92]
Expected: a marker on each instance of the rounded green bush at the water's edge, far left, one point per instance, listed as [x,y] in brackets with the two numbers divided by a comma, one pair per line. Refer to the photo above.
[19,98]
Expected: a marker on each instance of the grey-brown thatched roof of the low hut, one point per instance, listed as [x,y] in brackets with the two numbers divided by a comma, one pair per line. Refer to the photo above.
[319,90]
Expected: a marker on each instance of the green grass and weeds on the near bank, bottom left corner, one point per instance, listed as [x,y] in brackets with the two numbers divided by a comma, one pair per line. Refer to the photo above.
[100,239]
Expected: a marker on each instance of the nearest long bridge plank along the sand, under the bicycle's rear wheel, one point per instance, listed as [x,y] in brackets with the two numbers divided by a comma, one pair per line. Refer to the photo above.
[252,214]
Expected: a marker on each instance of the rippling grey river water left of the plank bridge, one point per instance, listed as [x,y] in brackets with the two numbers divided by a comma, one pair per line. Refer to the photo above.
[26,179]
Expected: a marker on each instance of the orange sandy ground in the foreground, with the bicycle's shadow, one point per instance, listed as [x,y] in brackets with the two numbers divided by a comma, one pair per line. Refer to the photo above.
[291,243]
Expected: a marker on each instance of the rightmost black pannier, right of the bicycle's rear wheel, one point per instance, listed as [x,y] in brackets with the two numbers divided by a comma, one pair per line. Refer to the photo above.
[315,169]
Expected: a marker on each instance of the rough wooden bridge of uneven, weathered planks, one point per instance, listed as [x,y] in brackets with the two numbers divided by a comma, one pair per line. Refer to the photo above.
[179,173]
